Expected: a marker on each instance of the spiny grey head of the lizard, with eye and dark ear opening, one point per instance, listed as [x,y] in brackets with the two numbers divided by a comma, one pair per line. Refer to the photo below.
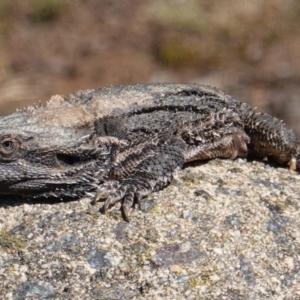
[58,164]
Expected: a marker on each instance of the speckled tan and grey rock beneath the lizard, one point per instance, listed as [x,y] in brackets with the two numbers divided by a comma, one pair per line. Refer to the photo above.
[221,230]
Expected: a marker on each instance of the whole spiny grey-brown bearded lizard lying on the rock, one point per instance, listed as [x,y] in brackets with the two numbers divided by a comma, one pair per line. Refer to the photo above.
[126,142]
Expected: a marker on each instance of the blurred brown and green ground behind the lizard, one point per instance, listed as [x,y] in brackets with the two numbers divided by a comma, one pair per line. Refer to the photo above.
[250,49]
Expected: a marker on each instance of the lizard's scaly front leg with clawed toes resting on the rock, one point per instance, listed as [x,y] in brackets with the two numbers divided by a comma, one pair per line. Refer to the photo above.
[151,174]
